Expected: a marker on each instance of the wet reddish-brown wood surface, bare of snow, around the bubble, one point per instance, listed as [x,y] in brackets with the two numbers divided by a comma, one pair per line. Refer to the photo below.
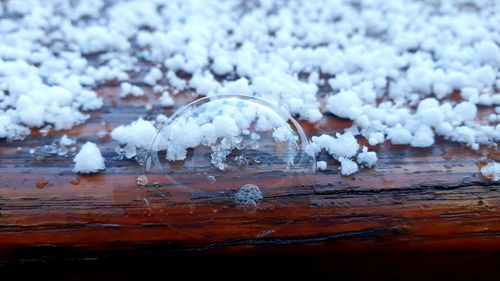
[415,199]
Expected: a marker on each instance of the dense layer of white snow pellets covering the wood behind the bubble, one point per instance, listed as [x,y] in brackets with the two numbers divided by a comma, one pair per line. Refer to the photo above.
[389,66]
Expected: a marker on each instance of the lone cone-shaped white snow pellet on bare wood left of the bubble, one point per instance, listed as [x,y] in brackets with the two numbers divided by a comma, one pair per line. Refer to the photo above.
[89,159]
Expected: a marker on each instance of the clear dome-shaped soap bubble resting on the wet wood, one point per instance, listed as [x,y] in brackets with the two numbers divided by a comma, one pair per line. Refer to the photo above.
[236,140]
